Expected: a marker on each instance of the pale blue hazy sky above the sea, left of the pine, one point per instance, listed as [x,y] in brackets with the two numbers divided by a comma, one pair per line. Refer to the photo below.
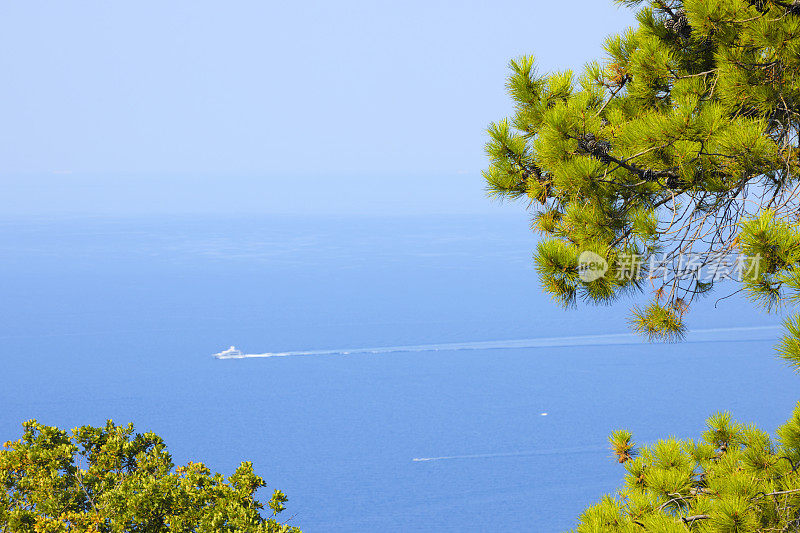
[187,105]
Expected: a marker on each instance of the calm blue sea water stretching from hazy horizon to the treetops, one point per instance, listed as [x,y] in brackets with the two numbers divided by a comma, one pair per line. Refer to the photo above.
[117,318]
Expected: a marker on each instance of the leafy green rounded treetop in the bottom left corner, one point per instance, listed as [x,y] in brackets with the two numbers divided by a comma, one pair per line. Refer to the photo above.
[112,480]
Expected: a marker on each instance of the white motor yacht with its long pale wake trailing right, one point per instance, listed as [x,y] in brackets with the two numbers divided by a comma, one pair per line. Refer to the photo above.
[735,334]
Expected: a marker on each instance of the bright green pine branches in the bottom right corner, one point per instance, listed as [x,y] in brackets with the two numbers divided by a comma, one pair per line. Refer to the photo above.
[734,478]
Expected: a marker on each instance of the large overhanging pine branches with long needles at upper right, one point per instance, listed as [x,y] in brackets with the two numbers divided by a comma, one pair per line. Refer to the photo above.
[682,147]
